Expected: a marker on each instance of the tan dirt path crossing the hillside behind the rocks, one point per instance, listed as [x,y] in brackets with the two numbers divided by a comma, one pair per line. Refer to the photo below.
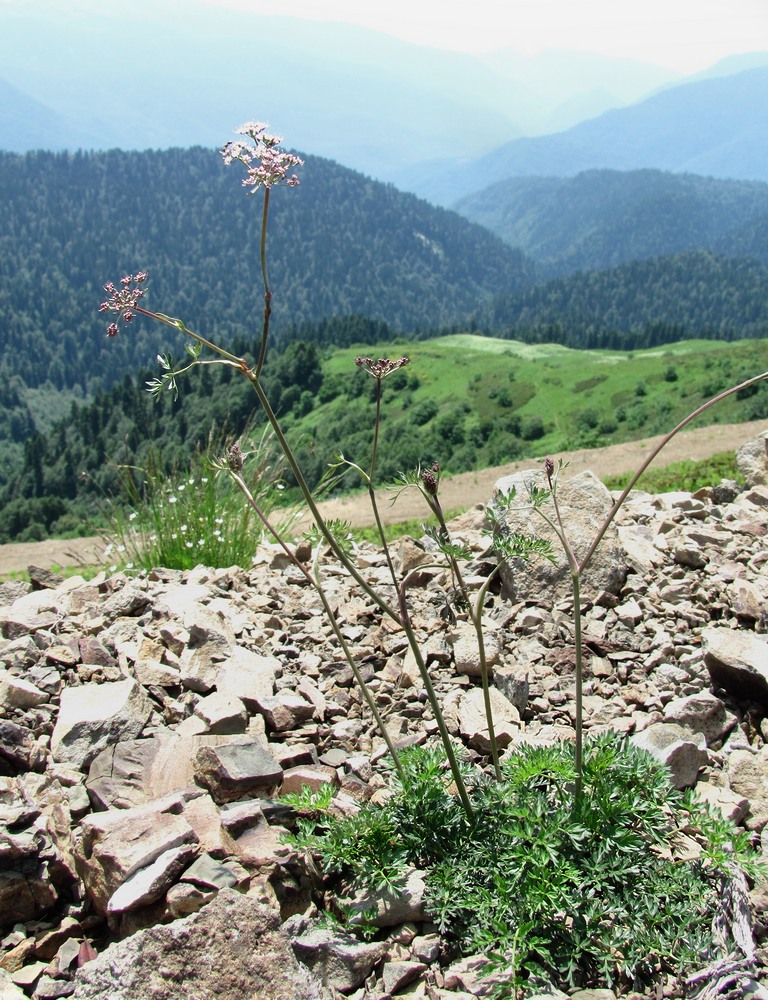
[456,493]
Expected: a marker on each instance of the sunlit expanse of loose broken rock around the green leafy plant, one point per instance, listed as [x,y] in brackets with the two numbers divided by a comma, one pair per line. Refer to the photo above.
[150,726]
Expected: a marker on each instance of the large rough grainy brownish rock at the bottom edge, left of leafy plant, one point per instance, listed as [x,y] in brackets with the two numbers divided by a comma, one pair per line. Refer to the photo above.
[231,949]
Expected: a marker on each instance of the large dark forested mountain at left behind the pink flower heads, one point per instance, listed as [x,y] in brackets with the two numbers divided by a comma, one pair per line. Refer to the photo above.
[340,244]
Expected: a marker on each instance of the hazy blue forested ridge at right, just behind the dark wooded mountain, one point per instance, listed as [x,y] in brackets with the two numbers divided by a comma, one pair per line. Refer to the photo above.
[602,218]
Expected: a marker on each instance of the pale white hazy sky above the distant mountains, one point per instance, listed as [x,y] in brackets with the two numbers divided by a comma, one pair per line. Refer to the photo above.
[685,35]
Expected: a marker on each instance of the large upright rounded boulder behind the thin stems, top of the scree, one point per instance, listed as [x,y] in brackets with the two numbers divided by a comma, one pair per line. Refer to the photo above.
[584,504]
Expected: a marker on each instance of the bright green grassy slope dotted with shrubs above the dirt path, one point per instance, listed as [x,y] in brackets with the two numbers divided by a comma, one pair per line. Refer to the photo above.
[469,401]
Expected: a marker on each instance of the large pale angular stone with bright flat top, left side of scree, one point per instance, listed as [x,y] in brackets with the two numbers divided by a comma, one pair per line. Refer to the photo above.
[93,716]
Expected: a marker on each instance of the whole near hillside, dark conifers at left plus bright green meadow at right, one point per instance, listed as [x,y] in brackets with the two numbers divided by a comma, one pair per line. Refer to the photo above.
[465,401]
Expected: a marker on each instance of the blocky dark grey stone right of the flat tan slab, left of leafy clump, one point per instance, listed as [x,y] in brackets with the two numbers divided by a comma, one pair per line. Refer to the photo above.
[237,769]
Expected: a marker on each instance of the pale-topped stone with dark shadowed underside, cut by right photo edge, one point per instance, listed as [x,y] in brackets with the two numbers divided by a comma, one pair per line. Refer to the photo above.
[737,661]
